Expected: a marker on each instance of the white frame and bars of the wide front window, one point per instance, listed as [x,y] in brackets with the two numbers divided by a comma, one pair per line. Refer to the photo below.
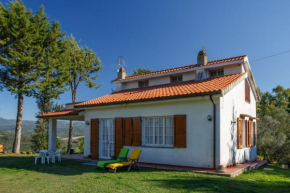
[154,134]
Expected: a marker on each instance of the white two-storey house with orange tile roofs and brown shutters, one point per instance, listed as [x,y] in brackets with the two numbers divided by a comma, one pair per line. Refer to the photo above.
[200,115]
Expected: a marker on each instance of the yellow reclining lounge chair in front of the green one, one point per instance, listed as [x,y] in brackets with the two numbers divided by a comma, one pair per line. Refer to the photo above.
[132,162]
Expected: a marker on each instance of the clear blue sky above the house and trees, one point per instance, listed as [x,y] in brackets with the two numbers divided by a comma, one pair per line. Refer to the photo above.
[159,34]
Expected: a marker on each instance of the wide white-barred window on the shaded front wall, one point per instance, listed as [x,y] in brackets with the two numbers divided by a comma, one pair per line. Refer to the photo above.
[158,131]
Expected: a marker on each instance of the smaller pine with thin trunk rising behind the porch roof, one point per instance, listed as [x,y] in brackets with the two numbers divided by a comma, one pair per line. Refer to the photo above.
[83,68]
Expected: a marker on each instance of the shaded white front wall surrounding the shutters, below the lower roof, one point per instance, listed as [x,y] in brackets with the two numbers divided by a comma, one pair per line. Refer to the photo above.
[199,150]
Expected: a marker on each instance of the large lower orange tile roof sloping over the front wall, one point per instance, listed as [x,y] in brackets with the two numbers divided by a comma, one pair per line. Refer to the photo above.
[165,91]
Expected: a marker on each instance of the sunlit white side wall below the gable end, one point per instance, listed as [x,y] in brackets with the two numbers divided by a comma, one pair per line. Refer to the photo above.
[232,105]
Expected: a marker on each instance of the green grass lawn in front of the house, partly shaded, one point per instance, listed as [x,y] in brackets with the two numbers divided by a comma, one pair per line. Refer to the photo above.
[19,174]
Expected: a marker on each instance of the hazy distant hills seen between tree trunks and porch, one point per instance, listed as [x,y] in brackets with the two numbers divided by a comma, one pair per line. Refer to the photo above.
[28,126]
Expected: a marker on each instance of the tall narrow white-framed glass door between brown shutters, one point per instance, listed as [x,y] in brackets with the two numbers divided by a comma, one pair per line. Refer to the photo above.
[107,137]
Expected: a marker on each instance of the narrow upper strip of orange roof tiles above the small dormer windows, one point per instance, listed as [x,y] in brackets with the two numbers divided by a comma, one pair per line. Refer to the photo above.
[183,67]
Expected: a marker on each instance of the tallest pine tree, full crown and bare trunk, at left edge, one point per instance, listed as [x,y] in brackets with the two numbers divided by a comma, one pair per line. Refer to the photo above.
[26,62]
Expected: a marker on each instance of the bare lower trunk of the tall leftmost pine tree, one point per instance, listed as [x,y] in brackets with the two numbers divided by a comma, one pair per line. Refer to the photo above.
[17,139]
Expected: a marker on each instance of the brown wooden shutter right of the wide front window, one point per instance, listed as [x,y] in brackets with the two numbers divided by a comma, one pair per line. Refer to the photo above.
[180,131]
